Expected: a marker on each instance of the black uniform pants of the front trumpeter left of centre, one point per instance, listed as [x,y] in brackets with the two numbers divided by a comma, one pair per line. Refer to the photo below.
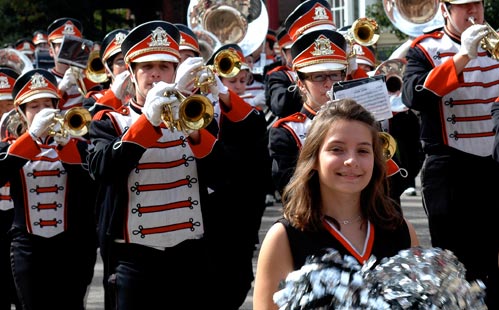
[177,277]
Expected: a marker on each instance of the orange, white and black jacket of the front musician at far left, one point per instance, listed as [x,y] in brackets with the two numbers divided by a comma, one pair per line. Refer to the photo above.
[49,184]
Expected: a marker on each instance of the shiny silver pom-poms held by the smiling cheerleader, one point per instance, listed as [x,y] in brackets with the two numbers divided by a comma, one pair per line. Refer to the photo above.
[416,278]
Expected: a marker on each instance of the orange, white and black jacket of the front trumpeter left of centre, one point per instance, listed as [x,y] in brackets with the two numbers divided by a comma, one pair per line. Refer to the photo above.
[151,176]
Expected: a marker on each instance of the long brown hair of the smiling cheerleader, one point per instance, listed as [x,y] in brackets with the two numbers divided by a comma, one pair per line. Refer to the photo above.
[301,197]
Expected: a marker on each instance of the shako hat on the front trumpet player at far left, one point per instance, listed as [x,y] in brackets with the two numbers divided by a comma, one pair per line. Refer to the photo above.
[35,84]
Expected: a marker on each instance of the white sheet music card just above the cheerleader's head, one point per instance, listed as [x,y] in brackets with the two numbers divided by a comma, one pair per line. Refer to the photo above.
[370,92]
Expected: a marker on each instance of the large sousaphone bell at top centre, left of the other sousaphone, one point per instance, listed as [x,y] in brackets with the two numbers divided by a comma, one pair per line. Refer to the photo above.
[230,21]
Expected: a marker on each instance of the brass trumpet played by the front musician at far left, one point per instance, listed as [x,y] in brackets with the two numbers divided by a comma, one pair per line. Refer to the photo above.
[73,123]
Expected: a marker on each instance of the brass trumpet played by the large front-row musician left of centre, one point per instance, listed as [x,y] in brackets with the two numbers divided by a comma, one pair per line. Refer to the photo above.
[194,112]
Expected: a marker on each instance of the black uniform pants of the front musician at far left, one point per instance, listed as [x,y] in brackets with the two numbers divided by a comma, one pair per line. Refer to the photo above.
[52,273]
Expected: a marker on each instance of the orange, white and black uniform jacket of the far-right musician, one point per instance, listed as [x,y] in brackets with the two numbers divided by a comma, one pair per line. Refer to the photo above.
[455,109]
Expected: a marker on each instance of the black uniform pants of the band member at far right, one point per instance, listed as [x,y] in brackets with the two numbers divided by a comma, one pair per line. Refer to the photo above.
[459,196]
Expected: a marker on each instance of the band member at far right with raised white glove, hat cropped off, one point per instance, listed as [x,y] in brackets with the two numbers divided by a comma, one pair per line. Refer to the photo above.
[453,82]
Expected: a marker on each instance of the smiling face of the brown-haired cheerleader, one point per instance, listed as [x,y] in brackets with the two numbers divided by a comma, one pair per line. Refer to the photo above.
[346,158]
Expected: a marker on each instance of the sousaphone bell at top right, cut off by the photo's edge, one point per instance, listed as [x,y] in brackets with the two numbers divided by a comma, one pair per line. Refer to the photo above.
[412,17]
